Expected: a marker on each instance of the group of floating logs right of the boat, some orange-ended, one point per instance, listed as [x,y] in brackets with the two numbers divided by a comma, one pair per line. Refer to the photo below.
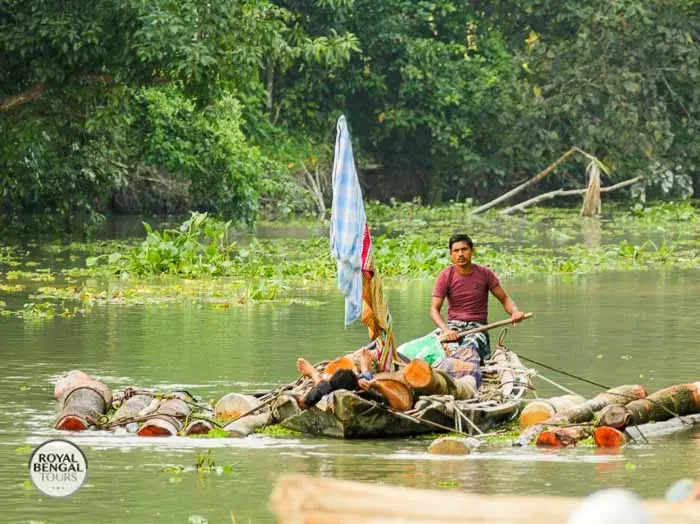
[613,417]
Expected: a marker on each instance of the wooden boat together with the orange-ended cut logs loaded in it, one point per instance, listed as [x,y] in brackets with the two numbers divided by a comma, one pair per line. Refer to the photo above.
[422,399]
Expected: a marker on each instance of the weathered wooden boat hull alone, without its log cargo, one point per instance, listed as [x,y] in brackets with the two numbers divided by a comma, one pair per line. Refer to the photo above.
[344,414]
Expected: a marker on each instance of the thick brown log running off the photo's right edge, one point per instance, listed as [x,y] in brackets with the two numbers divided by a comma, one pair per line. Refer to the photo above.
[683,399]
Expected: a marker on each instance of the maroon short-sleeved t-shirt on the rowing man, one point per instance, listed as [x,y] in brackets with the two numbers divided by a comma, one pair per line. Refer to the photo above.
[467,295]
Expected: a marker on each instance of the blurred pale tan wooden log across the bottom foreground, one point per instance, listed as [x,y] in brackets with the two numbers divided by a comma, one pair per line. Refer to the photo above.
[300,499]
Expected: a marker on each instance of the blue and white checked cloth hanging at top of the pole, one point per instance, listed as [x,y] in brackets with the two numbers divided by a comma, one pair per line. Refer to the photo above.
[348,224]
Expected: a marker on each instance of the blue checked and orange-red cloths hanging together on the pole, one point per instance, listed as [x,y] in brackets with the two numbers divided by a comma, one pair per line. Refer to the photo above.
[351,246]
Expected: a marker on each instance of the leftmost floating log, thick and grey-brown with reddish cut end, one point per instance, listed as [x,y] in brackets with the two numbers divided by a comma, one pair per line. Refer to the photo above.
[83,401]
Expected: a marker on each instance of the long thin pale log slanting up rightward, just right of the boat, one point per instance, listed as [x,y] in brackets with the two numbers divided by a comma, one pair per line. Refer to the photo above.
[584,412]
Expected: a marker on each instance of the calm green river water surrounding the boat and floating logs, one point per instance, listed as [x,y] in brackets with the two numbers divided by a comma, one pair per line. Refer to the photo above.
[617,329]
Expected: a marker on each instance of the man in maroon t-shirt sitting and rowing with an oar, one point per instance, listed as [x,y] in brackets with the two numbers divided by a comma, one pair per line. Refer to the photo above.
[466,286]
